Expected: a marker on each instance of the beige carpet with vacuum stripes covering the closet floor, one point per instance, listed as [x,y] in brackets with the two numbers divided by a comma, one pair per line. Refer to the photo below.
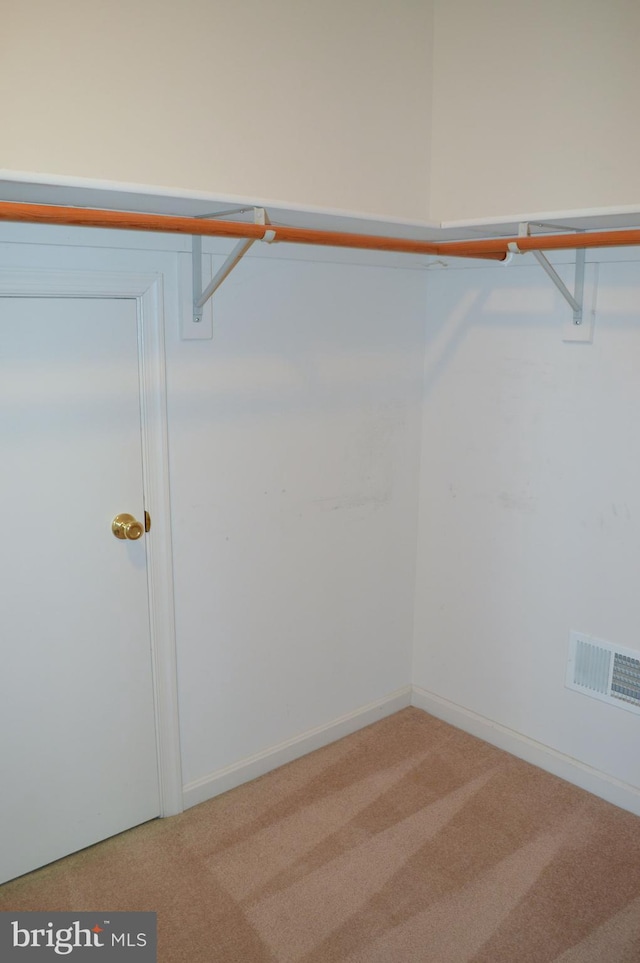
[408,841]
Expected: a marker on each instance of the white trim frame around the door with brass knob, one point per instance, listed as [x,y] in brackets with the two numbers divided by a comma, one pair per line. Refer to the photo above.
[147,291]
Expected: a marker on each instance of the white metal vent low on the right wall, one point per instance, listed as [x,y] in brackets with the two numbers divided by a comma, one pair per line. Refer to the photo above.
[604,671]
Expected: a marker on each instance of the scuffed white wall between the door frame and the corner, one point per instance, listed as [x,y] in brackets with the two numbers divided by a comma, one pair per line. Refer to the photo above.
[294,465]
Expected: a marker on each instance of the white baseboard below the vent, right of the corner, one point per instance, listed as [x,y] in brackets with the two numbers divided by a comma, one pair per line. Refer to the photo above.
[599,783]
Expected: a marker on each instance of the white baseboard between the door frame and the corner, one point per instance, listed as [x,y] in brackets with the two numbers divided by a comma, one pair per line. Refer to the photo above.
[240,772]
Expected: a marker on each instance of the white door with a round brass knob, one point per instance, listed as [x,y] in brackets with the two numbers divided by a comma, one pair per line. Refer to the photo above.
[77,738]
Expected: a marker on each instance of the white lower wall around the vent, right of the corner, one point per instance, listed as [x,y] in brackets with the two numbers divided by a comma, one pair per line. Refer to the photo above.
[530,507]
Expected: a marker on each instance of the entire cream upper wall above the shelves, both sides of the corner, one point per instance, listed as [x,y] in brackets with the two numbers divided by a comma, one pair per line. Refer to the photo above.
[420,109]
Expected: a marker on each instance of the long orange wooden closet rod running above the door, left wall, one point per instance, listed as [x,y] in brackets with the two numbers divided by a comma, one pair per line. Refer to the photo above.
[163,223]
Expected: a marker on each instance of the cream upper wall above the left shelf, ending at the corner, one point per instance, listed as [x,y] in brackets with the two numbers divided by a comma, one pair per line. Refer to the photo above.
[319,104]
